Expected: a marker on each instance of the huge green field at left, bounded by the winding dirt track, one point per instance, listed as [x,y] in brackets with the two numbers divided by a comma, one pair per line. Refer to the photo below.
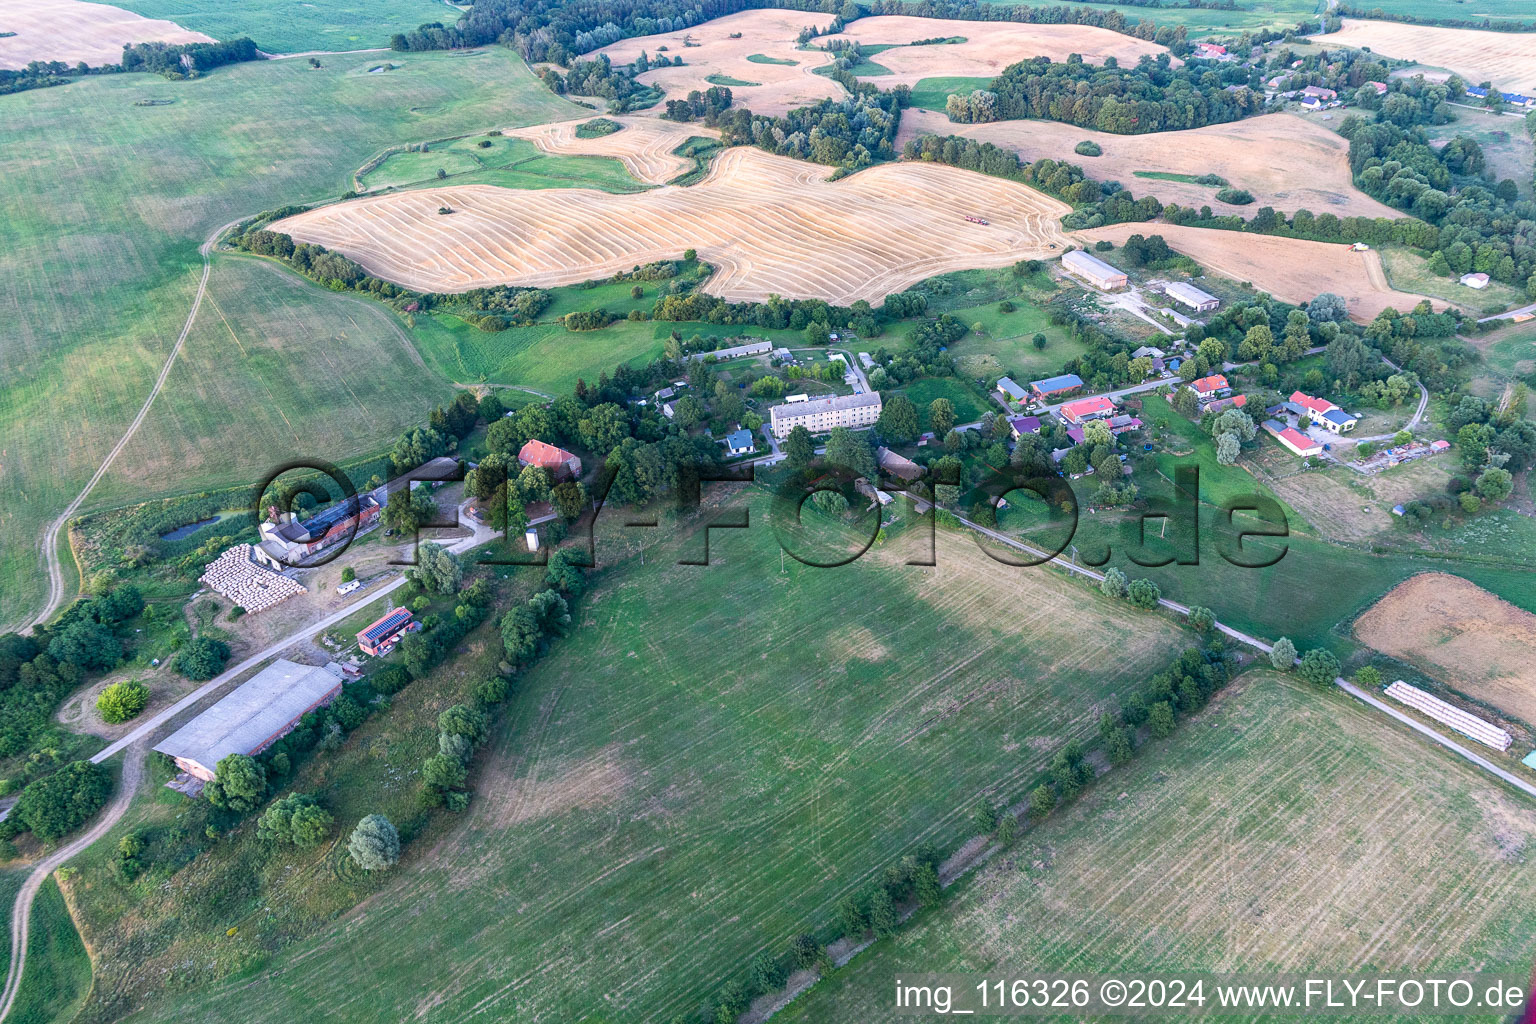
[104,205]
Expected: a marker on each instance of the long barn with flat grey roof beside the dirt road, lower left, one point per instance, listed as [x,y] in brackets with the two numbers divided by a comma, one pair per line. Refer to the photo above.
[250,719]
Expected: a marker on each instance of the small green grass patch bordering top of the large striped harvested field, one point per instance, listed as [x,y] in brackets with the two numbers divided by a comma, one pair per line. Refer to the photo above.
[514,164]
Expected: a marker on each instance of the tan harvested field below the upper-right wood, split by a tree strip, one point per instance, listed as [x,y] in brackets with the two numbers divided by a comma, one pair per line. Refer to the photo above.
[1285,160]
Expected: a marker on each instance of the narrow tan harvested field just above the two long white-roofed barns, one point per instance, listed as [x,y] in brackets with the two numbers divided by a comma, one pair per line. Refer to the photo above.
[1291,269]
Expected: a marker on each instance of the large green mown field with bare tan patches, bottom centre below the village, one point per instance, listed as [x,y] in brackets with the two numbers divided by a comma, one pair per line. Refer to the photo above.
[677,790]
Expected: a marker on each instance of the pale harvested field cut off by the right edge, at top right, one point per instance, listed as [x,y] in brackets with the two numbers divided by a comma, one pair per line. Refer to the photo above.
[1508,59]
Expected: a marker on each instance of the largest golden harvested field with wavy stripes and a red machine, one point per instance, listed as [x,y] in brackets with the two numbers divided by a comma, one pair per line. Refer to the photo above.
[770,226]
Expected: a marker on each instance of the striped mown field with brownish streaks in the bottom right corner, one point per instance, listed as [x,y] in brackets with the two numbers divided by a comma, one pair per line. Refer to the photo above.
[1283,830]
